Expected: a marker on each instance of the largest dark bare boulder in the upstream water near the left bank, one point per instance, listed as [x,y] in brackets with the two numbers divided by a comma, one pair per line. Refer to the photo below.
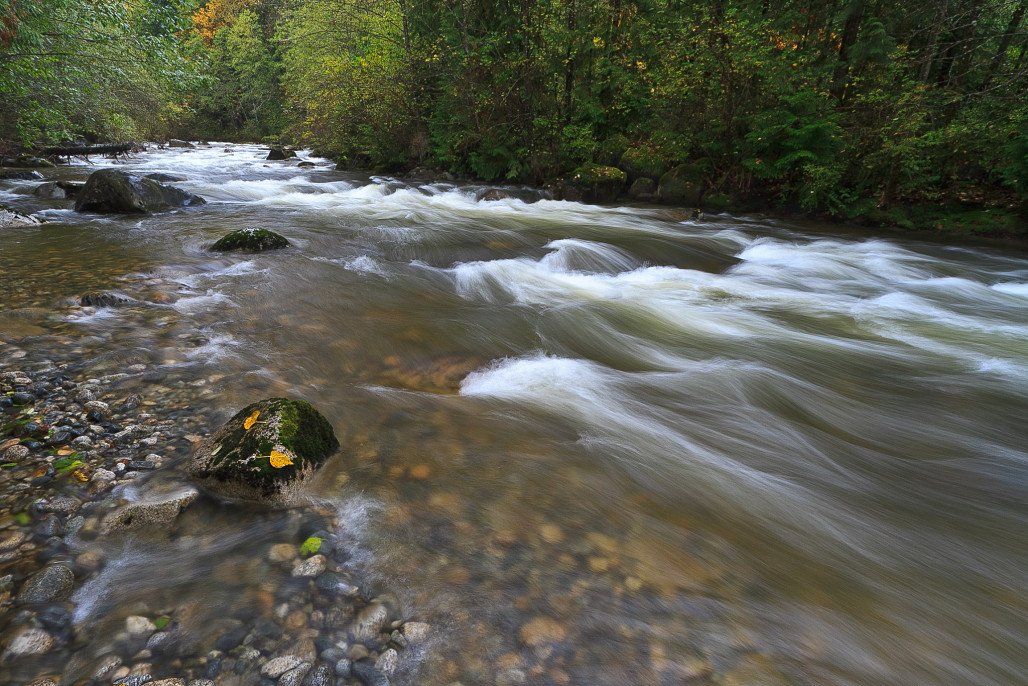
[112,191]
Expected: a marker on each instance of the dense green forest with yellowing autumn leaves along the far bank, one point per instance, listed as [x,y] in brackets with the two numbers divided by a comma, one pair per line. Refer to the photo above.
[909,115]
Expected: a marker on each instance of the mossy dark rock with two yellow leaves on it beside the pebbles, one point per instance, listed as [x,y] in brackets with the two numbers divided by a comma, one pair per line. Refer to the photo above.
[263,450]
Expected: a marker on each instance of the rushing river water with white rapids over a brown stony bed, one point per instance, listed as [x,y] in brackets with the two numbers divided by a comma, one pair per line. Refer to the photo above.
[589,445]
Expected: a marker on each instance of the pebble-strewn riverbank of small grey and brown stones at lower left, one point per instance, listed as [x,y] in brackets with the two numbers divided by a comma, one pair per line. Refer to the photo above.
[85,462]
